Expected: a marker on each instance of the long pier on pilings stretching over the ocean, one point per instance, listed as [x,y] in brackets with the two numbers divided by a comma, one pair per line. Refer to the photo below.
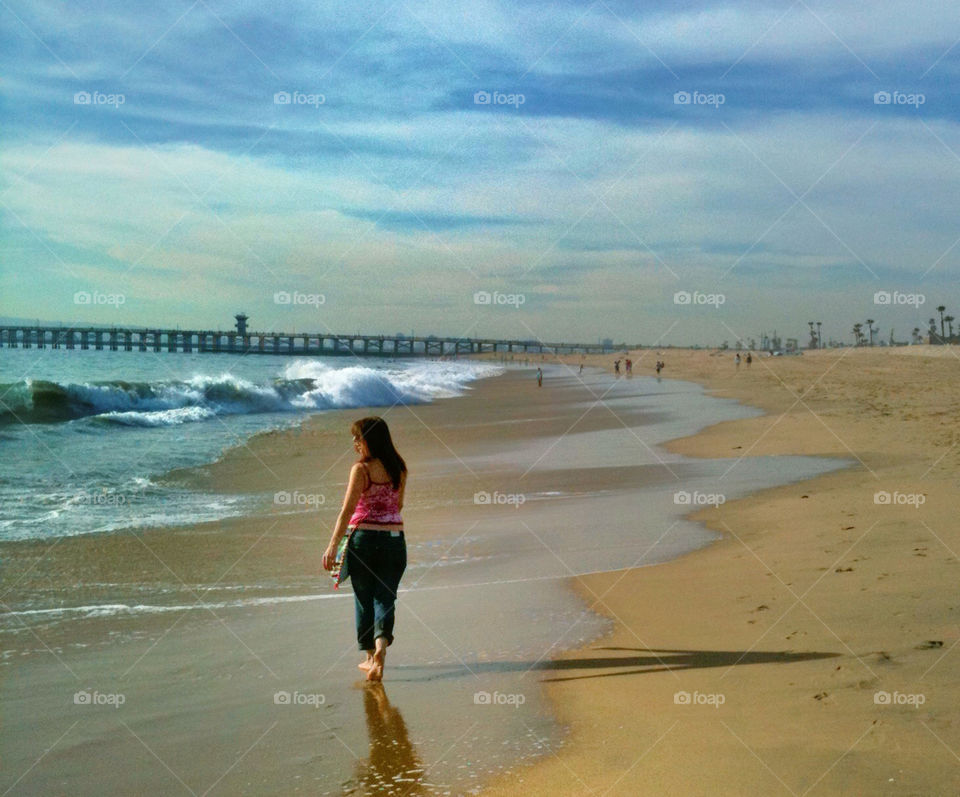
[282,343]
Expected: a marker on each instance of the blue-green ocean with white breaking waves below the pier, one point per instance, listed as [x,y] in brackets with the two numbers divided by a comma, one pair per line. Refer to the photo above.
[85,435]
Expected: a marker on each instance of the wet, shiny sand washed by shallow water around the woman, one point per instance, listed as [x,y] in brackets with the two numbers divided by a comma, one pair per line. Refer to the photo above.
[202,632]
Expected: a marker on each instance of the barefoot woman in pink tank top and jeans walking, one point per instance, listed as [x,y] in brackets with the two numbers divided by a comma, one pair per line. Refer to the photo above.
[375,554]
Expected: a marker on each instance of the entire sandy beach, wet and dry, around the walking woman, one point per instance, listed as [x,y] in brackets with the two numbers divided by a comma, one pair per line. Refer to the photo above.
[751,664]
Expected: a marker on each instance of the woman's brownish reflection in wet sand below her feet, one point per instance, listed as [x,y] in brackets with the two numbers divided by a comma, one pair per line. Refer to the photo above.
[393,766]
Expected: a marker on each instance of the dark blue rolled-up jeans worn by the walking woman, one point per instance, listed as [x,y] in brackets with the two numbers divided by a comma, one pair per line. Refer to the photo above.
[377,561]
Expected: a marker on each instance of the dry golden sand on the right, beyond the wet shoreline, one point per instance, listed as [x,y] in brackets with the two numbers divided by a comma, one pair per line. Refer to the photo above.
[811,567]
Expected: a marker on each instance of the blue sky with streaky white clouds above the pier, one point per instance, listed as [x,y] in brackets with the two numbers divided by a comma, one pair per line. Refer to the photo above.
[675,173]
